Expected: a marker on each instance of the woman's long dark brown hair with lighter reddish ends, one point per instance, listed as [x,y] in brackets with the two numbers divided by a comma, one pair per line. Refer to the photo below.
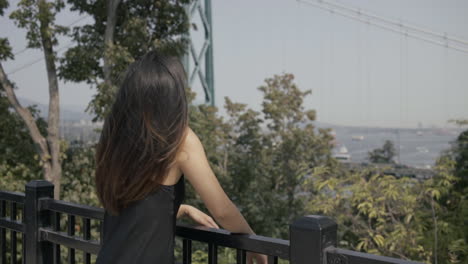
[143,131]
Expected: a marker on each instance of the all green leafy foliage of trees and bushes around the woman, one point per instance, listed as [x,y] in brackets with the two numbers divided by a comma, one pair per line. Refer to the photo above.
[274,164]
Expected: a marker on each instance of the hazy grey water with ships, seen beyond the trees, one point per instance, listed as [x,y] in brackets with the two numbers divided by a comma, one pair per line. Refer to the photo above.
[416,147]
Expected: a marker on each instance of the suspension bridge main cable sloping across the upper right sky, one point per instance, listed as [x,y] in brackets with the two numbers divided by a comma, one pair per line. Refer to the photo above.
[430,36]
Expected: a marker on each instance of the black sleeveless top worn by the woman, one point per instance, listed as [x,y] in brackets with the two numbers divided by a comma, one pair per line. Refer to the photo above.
[143,233]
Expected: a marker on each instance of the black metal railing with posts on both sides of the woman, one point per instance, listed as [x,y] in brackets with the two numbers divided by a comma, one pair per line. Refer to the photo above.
[312,238]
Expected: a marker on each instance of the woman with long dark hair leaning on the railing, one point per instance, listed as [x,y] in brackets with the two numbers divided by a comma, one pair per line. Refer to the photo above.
[145,153]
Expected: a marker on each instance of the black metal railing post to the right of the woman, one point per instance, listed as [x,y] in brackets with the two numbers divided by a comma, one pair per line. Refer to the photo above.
[309,236]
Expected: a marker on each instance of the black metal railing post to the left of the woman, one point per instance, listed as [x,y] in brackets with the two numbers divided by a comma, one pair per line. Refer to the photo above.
[37,252]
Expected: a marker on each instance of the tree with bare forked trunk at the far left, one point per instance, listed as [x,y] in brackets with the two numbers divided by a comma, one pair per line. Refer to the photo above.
[37,17]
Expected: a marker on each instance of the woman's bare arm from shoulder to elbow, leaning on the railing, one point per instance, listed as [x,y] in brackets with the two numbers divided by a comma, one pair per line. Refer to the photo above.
[194,165]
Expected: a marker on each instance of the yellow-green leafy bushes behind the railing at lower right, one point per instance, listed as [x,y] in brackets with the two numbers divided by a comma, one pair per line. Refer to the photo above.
[398,217]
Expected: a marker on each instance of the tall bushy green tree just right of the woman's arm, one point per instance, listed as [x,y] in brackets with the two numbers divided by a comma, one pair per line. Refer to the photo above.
[262,158]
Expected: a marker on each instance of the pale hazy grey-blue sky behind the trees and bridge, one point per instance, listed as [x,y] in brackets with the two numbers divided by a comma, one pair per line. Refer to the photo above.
[360,75]
